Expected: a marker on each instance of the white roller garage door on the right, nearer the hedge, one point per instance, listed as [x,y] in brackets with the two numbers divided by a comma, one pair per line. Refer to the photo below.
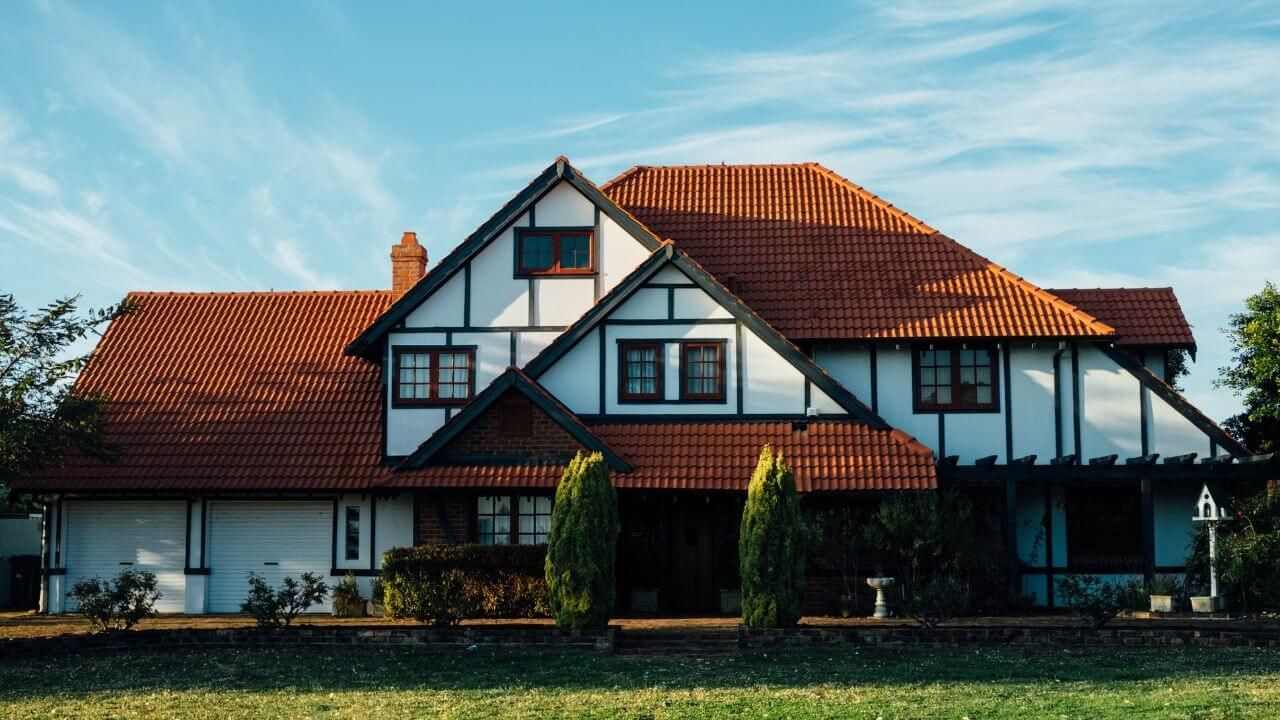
[272,539]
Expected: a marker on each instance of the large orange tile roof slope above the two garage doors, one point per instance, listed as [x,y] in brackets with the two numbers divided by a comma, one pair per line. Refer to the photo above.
[235,391]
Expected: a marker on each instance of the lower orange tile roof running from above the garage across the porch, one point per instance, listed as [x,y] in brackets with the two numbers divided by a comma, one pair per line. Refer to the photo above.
[253,393]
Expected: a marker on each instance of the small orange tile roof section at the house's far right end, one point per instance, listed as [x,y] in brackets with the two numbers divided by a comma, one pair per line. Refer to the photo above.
[1141,316]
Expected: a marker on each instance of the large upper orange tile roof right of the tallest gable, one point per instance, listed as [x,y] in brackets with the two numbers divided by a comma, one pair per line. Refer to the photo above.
[821,258]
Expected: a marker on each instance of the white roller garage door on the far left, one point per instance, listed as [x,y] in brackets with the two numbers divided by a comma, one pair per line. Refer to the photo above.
[106,537]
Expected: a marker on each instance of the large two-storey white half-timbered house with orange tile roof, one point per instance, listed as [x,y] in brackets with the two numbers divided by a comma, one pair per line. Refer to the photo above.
[674,320]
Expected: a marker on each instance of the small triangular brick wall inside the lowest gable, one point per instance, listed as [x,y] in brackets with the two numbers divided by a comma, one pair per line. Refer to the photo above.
[514,426]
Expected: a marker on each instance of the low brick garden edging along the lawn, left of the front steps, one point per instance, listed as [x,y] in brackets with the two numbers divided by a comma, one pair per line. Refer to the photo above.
[527,636]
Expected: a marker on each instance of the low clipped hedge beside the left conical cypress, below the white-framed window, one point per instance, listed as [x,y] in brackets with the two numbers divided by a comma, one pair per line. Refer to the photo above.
[445,585]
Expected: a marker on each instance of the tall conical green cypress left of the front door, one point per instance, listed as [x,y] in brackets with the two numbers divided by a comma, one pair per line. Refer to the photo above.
[583,544]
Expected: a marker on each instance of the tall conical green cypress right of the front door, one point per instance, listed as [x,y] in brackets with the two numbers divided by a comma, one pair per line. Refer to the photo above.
[772,546]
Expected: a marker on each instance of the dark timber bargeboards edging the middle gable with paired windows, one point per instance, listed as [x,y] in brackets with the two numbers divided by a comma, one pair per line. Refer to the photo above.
[669,254]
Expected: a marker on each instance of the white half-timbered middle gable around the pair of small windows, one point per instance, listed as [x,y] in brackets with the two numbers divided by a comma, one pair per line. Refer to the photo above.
[671,302]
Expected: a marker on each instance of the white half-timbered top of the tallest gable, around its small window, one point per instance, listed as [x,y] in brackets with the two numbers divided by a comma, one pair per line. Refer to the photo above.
[477,286]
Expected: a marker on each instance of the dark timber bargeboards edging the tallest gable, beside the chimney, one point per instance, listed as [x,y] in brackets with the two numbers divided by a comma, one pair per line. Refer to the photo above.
[460,258]
